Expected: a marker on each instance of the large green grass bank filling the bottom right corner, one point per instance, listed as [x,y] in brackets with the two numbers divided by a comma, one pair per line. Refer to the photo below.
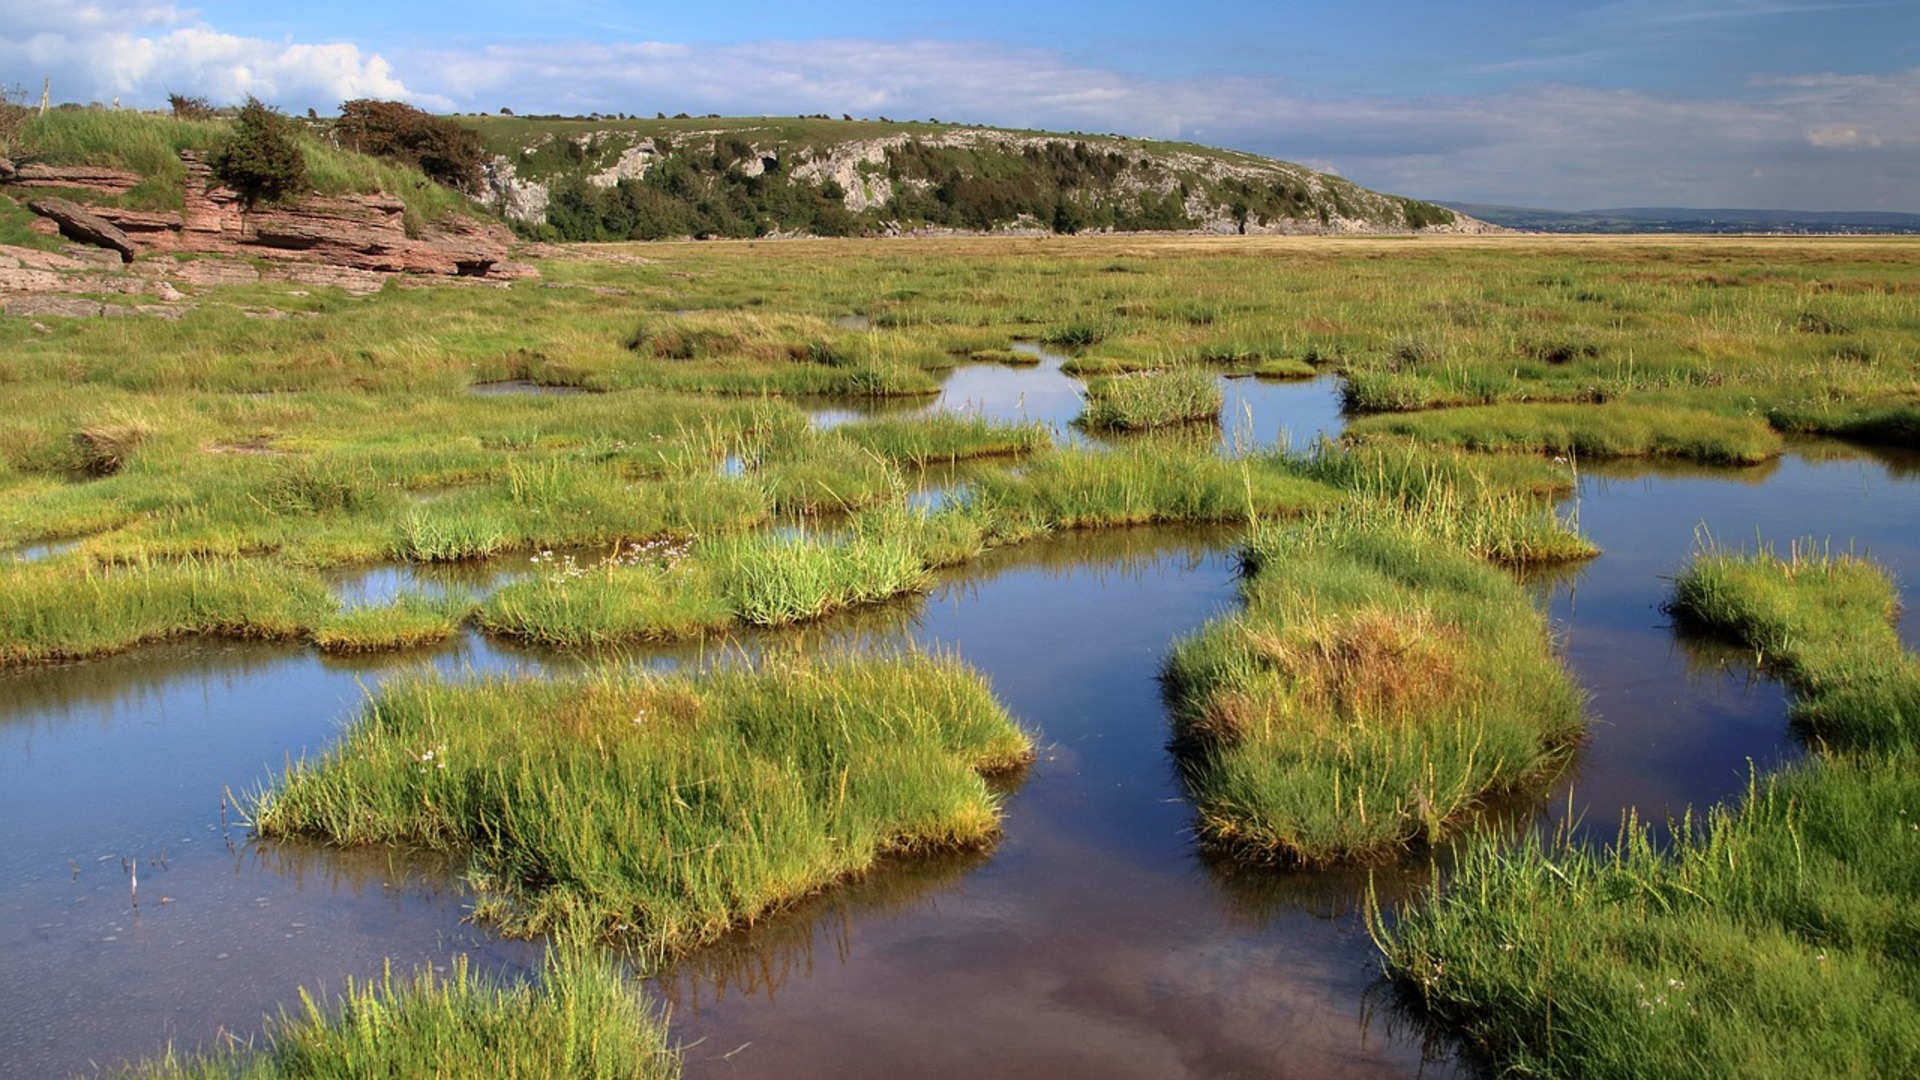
[1773,939]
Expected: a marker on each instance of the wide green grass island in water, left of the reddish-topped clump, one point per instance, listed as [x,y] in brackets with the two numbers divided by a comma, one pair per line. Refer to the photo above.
[665,810]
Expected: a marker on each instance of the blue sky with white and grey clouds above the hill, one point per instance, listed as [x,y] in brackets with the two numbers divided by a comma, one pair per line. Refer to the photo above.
[1806,105]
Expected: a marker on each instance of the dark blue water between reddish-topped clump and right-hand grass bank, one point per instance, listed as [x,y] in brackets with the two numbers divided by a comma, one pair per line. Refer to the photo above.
[1681,722]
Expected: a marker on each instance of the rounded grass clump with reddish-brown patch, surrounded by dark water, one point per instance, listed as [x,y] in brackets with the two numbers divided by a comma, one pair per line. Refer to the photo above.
[1378,691]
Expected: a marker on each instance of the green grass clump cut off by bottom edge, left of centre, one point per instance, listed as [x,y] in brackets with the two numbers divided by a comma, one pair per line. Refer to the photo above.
[581,1019]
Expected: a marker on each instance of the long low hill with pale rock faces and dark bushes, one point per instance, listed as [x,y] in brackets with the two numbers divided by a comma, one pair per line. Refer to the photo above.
[625,178]
